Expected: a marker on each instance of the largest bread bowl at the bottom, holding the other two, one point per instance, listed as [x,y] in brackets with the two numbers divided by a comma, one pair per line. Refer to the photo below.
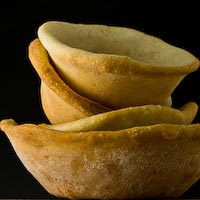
[152,161]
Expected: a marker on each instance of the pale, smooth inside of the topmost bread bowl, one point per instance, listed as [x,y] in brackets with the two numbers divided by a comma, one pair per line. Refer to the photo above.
[118,41]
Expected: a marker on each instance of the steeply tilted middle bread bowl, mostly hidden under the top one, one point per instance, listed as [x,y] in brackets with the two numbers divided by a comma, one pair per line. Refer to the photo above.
[60,103]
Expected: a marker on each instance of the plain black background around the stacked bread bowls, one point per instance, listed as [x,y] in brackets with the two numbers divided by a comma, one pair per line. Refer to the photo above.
[176,22]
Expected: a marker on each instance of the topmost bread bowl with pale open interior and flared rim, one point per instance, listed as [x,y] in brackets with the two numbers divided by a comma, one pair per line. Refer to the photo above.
[115,66]
